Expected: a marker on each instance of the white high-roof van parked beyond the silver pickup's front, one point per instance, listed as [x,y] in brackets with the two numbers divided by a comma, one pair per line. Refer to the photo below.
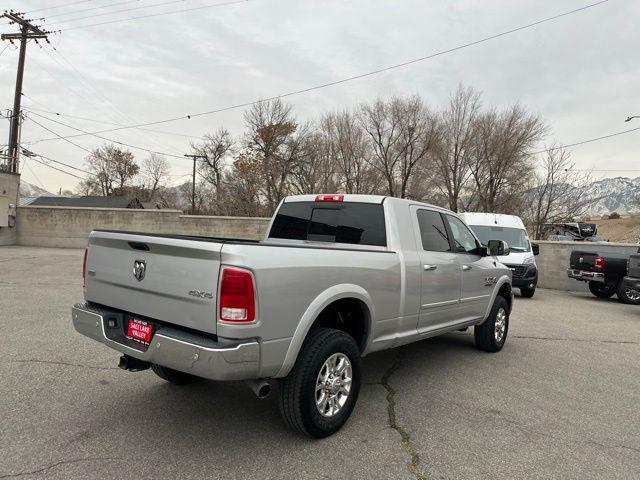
[521,260]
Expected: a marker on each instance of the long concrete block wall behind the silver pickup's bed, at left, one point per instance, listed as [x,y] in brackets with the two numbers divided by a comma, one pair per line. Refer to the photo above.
[69,227]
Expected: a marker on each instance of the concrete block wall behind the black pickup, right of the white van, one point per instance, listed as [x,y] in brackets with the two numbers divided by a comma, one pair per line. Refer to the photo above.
[553,261]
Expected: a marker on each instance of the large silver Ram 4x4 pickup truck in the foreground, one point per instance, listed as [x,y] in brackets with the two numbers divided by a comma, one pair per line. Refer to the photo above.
[337,277]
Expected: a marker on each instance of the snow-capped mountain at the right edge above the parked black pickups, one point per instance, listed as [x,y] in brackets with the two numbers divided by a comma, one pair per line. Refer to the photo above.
[612,195]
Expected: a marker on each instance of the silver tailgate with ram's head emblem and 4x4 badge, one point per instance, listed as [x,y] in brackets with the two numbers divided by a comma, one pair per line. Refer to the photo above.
[178,284]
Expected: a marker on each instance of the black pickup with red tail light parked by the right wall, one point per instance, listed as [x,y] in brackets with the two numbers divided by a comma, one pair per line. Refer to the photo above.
[605,275]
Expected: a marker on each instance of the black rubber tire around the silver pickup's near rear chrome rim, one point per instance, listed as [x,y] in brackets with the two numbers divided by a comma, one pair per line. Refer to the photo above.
[298,389]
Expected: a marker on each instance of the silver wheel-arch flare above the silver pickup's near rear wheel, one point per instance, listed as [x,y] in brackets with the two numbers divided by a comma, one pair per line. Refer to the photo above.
[322,301]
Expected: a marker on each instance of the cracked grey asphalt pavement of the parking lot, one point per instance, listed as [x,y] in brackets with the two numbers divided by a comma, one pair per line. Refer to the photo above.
[561,400]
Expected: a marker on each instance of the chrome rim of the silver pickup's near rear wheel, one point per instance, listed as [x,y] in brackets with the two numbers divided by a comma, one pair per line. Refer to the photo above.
[333,385]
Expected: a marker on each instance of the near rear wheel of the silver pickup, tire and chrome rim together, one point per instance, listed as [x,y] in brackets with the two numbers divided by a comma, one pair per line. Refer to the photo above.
[320,392]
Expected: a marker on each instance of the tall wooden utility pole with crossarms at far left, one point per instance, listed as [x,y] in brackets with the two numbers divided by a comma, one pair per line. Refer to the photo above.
[28,31]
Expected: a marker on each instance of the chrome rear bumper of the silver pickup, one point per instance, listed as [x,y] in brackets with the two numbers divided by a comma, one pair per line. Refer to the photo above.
[186,352]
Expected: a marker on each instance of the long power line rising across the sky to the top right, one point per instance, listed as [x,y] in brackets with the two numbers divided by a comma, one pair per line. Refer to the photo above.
[357,77]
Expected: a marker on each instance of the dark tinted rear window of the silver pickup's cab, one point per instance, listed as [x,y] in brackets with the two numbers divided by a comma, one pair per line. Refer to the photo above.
[350,222]
